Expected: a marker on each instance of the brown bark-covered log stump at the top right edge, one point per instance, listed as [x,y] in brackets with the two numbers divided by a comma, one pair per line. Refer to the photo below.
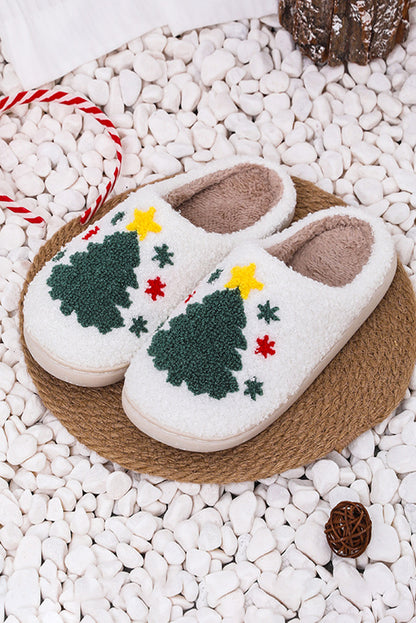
[337,31]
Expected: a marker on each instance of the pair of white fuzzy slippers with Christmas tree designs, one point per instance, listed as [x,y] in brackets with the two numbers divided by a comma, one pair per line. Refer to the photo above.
[217,322]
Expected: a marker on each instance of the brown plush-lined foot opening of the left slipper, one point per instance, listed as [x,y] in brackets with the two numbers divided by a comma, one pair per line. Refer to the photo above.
[229,200]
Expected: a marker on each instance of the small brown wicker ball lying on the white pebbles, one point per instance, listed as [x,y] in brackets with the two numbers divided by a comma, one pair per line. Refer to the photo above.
[348,530]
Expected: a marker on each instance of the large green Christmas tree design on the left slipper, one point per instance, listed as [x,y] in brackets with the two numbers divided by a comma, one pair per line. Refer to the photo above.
[96,281]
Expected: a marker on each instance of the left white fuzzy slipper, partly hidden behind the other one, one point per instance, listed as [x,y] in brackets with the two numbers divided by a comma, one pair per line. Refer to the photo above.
[87,310]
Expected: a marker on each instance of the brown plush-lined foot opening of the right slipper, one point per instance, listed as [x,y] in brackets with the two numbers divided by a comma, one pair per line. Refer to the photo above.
[332,251]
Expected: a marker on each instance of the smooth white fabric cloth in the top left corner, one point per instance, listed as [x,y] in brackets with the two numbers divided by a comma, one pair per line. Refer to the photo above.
[45,39]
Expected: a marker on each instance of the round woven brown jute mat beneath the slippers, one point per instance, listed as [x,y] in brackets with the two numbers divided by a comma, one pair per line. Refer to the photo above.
[357,390]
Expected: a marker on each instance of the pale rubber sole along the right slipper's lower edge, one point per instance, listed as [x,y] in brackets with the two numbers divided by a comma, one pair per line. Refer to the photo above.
[170,437]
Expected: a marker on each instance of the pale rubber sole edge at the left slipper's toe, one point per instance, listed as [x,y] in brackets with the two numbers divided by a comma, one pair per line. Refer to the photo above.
[85,377]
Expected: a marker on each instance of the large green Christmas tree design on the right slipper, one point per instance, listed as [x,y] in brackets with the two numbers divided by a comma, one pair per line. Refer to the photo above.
[200,347]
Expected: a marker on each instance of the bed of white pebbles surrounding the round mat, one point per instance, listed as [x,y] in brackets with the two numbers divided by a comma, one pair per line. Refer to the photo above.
[81,539]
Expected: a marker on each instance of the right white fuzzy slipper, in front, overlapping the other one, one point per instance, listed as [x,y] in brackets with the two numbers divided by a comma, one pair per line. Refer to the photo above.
[258,330]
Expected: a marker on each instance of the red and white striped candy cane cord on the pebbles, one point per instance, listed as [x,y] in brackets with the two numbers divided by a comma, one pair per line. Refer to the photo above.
[85,106]
